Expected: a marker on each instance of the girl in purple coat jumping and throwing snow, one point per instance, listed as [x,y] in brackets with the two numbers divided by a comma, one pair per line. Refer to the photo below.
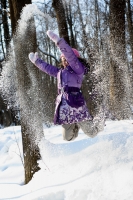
[71,111]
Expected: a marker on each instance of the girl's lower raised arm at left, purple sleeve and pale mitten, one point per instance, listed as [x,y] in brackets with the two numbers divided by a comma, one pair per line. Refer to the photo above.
[42,65]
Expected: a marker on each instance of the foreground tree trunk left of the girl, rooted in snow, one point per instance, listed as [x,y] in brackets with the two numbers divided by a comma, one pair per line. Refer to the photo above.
[28,88]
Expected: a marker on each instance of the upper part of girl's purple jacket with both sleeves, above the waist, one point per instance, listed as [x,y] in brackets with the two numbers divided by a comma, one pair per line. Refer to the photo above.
[68,77]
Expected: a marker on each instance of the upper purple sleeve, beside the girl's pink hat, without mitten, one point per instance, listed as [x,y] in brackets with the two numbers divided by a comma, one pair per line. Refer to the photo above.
[71,58]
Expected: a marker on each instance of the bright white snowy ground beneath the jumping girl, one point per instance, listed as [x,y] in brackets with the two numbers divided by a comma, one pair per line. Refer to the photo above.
[85,169]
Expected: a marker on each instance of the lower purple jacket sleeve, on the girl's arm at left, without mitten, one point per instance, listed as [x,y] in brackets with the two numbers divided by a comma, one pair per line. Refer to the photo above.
[47,68]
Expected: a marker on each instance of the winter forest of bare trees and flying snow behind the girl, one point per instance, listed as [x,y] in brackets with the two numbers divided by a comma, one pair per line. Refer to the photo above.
[101,30]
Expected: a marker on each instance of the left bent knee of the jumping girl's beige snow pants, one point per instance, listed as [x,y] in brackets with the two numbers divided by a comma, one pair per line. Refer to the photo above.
[70,131]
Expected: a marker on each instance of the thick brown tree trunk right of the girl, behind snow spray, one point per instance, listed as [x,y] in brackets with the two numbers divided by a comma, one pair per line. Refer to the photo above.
[119,86]
